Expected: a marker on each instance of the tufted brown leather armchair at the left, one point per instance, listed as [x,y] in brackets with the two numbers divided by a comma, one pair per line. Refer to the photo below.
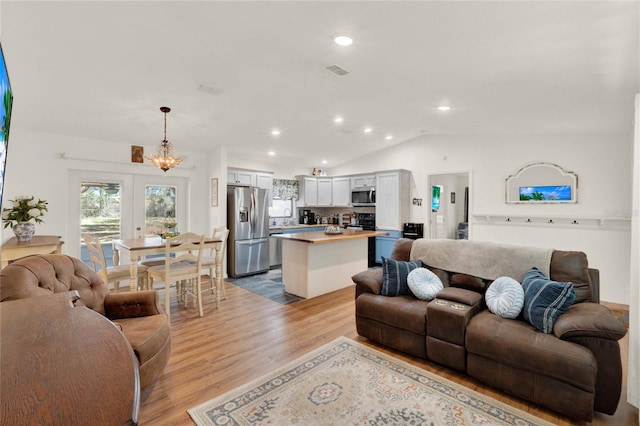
[138,314]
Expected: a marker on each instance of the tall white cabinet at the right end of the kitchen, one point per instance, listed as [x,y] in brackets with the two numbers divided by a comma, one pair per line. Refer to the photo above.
[392,199]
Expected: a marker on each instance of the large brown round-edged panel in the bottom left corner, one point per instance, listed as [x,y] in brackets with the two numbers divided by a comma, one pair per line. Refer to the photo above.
[64,364]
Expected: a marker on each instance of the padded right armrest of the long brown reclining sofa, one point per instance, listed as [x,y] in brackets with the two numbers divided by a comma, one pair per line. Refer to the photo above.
[588,320]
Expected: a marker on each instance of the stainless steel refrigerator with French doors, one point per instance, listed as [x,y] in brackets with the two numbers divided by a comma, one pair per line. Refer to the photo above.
[248,223]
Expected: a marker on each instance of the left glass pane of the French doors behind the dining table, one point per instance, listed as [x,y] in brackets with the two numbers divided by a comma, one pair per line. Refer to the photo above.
[100,215]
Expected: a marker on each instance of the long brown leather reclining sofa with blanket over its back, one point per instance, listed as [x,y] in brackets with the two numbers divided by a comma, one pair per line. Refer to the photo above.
[574,370]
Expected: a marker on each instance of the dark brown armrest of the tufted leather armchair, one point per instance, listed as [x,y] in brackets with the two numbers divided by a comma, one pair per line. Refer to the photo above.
[132,304]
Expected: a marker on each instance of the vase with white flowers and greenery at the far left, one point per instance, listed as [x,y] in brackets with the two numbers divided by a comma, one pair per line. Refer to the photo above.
[24,209]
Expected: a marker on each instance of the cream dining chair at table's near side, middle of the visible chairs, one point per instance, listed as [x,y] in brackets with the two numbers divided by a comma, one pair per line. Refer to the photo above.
[183,261]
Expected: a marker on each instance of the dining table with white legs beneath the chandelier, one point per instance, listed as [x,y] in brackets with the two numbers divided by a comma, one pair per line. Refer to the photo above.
[137,248]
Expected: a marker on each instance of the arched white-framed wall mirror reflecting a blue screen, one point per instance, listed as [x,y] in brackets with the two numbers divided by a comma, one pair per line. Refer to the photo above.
[542,183]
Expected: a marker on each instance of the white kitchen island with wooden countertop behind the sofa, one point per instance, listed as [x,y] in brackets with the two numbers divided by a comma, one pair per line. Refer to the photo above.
[315,263]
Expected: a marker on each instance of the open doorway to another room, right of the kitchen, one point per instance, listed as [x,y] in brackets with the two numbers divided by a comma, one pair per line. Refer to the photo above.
[449,205]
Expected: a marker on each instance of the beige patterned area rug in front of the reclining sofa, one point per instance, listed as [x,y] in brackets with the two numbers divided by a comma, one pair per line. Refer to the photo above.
[348,383]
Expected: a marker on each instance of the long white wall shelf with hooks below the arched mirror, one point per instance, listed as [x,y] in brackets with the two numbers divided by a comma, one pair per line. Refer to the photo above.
[553,221]
